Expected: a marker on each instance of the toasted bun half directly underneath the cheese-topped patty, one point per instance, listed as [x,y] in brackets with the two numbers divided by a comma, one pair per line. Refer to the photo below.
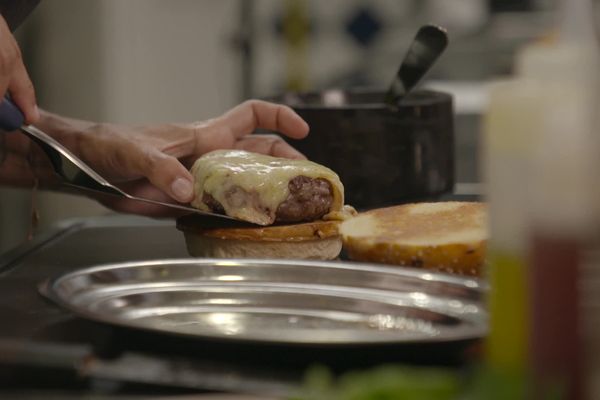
[317,240]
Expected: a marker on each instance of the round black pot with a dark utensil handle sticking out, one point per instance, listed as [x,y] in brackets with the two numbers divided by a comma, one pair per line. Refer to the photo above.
[383,156]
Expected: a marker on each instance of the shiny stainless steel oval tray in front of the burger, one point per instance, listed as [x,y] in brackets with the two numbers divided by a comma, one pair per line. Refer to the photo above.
[275,301]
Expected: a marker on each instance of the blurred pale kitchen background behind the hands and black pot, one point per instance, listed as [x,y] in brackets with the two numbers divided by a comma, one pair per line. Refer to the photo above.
[142,61]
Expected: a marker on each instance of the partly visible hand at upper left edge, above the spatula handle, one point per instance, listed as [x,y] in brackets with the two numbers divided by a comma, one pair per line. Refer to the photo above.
[14,77]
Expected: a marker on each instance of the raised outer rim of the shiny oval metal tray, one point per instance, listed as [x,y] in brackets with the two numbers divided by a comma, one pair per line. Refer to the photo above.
[477,331]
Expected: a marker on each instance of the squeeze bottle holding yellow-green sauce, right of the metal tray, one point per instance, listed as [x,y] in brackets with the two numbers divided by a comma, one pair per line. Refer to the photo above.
[509,125]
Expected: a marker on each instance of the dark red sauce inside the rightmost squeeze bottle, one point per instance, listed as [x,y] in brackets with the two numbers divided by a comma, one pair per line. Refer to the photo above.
[556,339]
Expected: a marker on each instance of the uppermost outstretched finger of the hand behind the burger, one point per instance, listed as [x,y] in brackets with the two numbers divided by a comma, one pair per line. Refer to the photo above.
[253,114]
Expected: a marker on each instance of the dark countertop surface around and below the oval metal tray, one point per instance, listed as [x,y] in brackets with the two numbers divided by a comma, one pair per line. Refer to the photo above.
[44,347]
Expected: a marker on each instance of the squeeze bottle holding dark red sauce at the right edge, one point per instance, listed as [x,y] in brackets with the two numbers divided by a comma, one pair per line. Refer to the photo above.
[562,198]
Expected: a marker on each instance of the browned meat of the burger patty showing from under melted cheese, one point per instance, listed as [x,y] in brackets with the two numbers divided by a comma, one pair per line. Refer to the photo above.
[309,199]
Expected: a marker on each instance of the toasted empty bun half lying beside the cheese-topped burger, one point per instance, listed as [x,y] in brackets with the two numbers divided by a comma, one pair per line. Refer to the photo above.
[446,236]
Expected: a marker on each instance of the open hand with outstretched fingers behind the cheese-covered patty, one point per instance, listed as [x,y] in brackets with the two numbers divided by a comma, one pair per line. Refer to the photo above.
[153,161]
